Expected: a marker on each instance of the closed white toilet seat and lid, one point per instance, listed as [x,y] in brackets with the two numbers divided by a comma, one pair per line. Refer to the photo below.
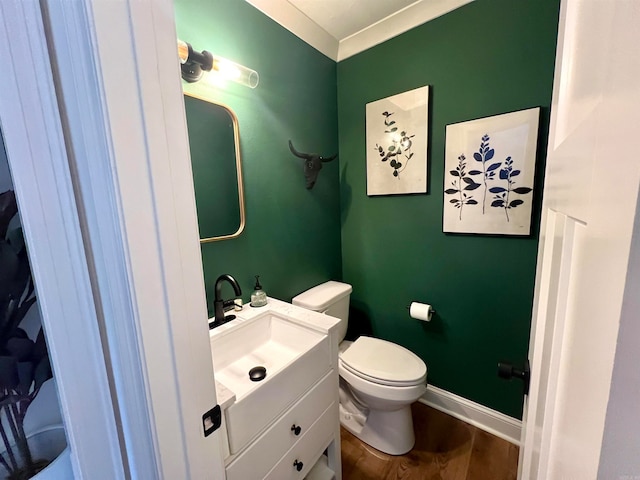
[383,363]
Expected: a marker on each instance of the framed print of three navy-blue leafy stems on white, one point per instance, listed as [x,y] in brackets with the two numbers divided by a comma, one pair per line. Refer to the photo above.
[489,166]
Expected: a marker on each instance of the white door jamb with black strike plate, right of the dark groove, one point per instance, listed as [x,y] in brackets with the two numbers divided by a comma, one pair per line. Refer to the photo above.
[129,137]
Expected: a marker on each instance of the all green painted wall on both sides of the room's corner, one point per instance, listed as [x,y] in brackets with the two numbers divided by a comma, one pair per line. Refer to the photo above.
[486,58]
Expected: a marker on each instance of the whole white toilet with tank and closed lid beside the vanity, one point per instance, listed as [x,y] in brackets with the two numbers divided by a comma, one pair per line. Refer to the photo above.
[379,380]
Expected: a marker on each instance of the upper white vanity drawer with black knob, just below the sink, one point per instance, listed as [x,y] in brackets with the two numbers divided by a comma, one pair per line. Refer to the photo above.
[260,457]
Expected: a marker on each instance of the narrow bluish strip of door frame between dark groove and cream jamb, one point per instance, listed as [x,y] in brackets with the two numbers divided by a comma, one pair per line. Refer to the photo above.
[85,119]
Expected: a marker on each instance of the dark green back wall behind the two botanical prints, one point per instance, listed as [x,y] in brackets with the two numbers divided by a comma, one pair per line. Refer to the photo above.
[486,58]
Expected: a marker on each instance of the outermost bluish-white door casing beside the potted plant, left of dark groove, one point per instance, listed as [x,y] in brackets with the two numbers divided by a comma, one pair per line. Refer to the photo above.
[38,162]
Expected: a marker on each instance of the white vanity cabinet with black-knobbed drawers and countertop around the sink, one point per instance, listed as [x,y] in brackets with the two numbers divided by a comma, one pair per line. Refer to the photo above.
[286,444]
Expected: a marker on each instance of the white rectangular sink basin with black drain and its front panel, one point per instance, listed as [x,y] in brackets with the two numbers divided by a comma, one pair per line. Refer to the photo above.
[294,357]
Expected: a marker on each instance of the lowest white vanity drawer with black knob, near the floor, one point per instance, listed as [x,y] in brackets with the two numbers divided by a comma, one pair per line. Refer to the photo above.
[308,450]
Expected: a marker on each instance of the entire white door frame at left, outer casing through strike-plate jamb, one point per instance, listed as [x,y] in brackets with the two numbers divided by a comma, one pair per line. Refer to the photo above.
[123,193]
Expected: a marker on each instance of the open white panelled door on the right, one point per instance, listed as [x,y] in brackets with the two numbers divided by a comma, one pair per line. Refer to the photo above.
[589,206]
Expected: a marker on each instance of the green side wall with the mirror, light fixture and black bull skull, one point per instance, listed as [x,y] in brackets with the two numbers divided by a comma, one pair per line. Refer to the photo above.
[292,235]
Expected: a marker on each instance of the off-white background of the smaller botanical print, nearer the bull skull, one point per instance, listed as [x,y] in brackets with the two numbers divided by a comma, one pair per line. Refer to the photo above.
[411,115]
